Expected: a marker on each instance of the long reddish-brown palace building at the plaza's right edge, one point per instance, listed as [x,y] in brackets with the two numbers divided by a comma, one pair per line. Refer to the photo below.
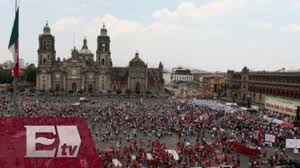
[254,86]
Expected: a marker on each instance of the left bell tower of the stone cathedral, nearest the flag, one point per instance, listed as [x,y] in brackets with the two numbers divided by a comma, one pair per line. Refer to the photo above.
[46,51]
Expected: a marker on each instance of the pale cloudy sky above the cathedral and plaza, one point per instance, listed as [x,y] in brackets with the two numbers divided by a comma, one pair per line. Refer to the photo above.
[212,35]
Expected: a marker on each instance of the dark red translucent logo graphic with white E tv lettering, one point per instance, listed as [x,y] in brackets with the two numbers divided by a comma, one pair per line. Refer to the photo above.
[47,142]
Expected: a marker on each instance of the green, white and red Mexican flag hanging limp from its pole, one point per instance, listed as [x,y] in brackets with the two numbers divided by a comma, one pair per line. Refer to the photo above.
[14,44]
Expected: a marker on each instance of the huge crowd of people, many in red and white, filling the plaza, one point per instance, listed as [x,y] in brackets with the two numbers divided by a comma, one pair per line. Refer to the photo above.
[168,132]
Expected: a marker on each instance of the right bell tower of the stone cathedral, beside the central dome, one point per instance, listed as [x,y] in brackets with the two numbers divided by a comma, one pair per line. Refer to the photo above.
[103,49]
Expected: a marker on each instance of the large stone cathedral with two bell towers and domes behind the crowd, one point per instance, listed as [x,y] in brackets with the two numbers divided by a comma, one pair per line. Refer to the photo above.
[82,73]
